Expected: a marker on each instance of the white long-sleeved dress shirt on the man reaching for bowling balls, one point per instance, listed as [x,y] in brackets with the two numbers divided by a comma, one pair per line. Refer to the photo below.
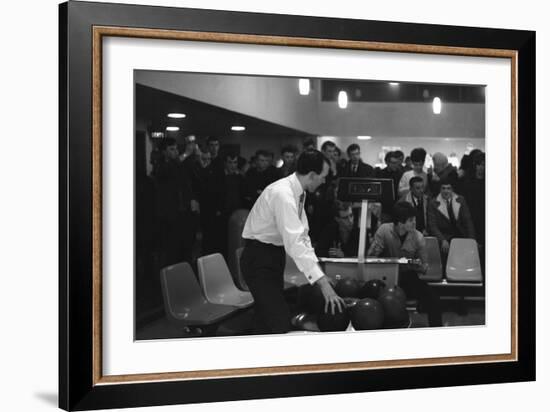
[275,219]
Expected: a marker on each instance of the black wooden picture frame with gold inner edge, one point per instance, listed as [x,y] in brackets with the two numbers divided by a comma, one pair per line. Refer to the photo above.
[83,26]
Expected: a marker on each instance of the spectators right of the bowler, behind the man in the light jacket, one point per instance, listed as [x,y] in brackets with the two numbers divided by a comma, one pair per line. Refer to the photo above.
[449,202]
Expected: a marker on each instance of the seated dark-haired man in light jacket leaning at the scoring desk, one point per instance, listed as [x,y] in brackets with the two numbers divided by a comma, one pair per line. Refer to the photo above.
[401,239]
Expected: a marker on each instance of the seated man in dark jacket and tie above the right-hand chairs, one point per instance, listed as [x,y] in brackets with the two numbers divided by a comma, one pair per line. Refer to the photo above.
[449,217]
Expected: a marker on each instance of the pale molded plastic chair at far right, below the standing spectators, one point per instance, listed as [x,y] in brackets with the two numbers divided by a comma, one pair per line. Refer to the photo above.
[463,262]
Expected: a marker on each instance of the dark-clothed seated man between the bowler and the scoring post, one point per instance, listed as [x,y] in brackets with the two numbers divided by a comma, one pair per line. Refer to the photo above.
[339,238]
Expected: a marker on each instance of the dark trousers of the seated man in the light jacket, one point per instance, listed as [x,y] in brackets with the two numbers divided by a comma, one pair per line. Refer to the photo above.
[428,299]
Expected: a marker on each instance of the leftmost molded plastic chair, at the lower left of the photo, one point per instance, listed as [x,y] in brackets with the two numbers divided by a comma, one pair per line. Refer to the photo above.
[184,302]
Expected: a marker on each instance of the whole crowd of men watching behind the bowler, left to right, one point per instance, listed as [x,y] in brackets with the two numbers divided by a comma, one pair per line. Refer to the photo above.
[198,189]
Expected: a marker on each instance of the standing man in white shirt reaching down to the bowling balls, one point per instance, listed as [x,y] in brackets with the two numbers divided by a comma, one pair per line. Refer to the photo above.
[278,223]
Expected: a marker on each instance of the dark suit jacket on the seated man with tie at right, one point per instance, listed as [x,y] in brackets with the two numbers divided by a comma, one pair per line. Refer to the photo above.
[439,224]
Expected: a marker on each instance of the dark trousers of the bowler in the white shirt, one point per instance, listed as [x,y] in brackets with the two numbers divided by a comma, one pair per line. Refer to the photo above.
[263,266]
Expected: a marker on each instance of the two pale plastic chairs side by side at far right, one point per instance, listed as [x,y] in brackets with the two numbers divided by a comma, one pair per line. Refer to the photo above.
[463,263]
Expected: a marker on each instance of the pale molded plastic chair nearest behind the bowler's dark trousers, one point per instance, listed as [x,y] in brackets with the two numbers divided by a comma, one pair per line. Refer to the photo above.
[218,285]
